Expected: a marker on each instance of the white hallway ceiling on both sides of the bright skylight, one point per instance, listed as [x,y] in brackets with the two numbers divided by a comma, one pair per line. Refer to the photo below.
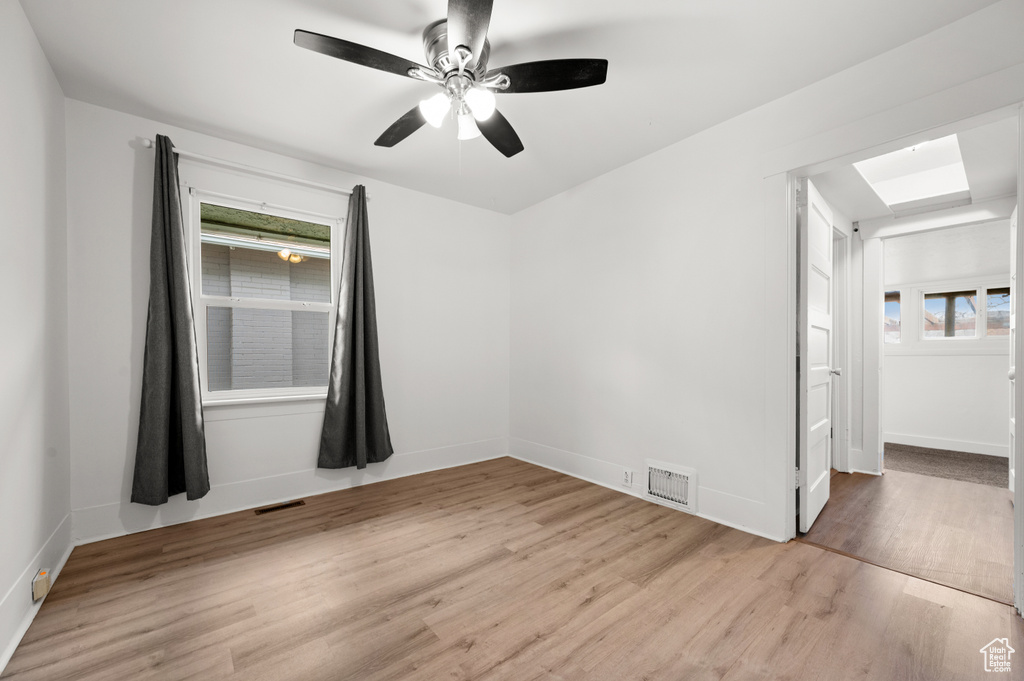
[990,154]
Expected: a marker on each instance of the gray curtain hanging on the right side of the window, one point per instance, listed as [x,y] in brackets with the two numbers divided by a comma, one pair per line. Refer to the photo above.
[355,421]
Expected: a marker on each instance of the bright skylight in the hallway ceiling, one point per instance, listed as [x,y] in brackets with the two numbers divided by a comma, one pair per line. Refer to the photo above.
[929,171]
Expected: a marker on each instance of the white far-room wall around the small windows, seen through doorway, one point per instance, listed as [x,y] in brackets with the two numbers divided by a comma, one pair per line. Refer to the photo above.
[947,395]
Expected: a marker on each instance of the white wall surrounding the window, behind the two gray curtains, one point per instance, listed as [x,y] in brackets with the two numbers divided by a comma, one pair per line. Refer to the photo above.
[442,276]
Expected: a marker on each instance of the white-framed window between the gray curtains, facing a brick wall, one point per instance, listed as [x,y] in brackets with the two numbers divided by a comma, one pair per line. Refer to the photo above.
[266,299]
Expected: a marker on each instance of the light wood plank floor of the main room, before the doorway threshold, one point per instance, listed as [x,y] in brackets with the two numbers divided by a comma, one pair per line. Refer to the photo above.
[496,571]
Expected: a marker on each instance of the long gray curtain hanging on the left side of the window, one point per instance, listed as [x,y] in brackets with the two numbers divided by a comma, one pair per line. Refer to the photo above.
[170,457]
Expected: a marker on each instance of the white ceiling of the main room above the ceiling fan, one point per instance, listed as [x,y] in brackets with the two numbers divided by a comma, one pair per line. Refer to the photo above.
[229,68]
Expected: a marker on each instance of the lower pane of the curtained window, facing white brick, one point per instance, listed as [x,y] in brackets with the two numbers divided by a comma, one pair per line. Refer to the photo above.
[267,349]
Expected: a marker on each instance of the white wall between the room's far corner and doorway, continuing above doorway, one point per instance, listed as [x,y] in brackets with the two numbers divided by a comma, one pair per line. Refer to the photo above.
[652,308]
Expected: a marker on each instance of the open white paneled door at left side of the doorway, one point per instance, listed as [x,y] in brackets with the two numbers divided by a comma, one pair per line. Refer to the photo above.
[815,342]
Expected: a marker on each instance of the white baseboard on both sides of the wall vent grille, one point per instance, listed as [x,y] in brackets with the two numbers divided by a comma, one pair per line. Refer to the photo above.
[720,507]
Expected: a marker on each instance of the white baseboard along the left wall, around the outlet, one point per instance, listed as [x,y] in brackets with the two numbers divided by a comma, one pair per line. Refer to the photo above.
[18,610]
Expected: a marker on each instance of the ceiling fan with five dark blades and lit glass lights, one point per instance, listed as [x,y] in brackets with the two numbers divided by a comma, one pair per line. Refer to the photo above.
[457,51]
